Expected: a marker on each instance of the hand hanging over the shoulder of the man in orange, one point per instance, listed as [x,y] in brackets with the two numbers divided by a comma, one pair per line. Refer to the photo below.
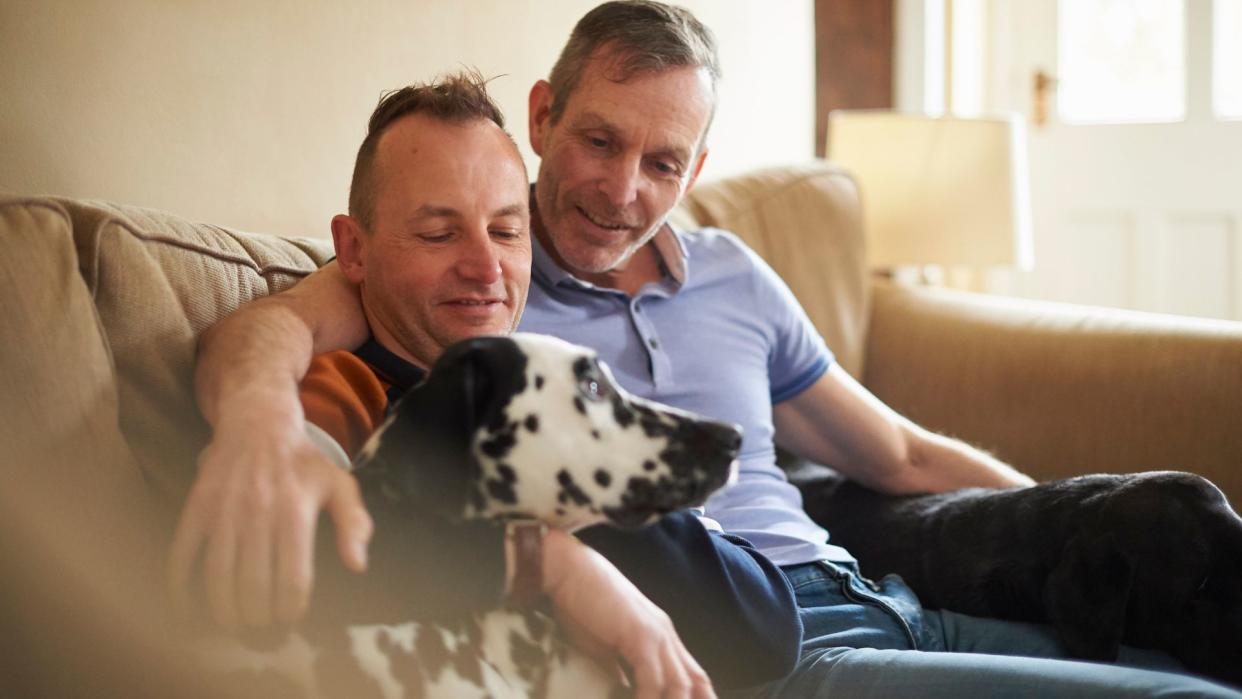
[253,516]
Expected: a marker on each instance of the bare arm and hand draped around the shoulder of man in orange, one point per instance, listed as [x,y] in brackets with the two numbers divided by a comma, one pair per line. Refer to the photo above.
[252,513]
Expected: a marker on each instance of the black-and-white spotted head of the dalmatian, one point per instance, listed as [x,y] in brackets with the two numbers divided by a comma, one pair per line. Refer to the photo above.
[533,426]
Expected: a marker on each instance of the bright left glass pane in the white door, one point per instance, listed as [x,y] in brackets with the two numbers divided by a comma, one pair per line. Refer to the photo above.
[1123,60]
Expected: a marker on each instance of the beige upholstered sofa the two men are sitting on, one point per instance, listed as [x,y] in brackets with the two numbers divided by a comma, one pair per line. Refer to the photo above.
[102,306]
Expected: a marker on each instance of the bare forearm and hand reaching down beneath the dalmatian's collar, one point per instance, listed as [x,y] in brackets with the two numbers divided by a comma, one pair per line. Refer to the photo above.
[607,616]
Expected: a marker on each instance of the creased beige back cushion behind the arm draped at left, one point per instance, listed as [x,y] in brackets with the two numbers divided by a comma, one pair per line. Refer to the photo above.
[160,281]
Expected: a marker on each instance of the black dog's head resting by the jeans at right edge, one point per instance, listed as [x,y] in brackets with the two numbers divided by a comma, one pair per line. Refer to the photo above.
[1164,561]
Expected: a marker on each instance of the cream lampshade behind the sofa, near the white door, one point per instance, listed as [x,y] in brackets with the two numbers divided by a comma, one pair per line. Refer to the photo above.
[938,191]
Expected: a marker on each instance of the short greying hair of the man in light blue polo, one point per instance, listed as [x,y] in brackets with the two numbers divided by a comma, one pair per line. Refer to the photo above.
[643,35]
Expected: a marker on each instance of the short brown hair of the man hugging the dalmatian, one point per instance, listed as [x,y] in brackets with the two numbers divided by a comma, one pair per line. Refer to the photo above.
[455,99]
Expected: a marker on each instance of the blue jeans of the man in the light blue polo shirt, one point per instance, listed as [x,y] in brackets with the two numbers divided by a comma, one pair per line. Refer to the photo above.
[865,639]
